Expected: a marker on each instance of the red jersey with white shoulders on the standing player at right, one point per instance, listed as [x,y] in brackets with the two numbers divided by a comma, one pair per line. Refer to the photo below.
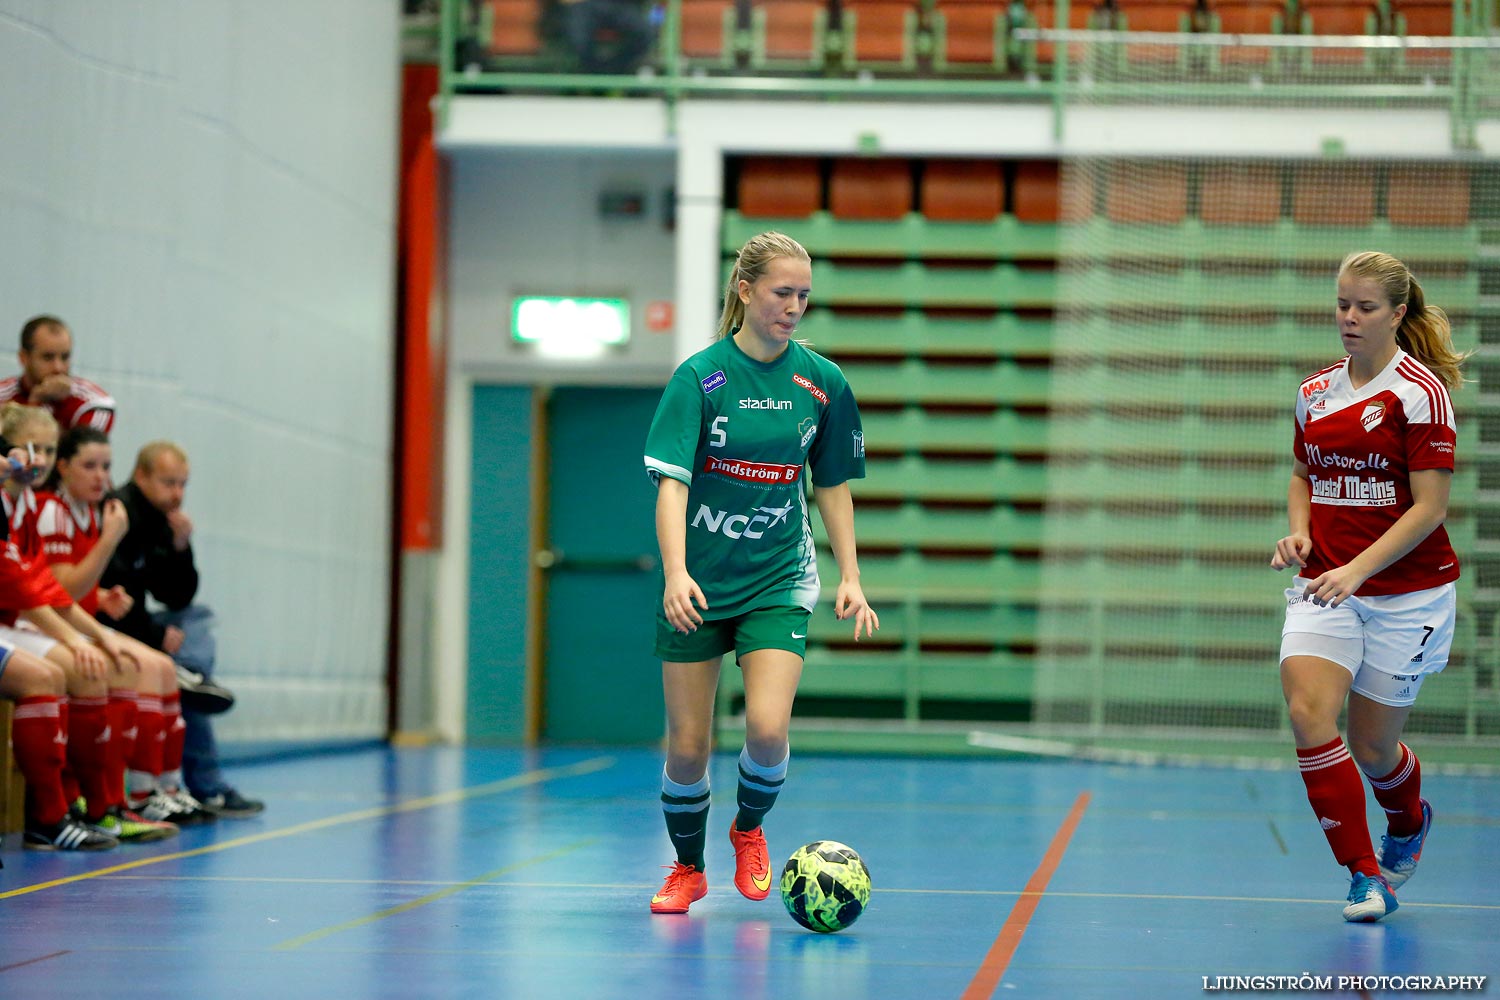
[1361,448]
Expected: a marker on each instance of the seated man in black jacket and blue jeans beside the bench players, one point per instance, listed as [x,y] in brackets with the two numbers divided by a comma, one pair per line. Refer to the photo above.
[155,558]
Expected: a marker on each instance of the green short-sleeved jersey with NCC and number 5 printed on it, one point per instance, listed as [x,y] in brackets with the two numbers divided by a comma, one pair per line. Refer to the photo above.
[739,433]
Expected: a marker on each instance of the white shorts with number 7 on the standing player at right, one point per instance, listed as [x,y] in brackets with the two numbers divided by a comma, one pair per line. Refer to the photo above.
[1388,644]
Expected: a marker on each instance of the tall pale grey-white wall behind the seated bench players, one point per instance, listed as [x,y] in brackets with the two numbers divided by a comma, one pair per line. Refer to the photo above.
[205,191]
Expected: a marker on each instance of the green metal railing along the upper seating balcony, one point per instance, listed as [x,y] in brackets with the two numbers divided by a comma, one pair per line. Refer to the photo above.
[1466,85]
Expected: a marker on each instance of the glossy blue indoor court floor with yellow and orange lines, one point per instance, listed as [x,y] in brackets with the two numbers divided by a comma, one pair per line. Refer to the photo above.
[490,873]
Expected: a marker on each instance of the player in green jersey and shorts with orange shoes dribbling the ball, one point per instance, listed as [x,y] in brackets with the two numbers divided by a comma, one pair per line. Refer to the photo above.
[736,428]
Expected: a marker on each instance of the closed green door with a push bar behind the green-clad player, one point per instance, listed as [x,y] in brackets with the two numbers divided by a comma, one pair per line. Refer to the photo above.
[602,684]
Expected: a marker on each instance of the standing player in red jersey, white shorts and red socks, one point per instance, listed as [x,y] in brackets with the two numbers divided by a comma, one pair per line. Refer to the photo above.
[1372,611]
